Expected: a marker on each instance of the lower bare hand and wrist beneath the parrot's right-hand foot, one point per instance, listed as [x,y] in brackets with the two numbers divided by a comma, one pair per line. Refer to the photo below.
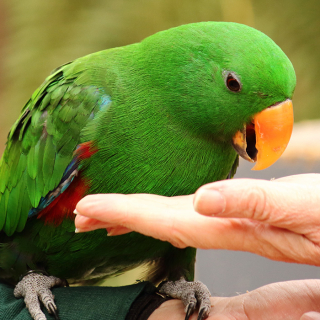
[291,300]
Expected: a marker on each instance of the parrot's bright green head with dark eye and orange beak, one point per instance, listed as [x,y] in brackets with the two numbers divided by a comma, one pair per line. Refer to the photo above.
[225,81]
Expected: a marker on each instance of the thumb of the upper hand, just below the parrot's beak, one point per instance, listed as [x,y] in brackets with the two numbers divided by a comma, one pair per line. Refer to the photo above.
[281,203]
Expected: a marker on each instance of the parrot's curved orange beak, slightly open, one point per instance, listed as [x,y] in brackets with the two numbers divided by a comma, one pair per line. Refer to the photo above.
[264,140]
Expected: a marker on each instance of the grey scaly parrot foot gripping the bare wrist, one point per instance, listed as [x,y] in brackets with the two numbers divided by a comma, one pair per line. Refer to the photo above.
[191,294]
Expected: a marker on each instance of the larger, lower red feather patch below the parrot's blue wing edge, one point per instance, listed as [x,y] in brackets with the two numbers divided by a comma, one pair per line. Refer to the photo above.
[63,206]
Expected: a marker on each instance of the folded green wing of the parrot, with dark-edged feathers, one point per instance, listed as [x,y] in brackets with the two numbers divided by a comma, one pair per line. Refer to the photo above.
[41,143]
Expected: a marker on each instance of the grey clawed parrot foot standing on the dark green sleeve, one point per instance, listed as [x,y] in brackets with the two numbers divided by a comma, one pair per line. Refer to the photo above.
[34,286]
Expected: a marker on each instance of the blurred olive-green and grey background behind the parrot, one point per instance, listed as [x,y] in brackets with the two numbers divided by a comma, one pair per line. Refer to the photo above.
[37,36]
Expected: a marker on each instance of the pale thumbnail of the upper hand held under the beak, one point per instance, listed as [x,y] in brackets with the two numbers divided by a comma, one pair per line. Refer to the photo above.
[209,202]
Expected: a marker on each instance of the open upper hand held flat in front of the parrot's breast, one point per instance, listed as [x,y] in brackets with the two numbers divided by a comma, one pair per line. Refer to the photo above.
[277,219]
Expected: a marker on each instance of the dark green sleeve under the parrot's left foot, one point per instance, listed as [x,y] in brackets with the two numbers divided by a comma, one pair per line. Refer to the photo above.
[78,303]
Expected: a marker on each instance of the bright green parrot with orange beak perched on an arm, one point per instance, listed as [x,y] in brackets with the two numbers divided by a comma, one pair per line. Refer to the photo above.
[162,116]
